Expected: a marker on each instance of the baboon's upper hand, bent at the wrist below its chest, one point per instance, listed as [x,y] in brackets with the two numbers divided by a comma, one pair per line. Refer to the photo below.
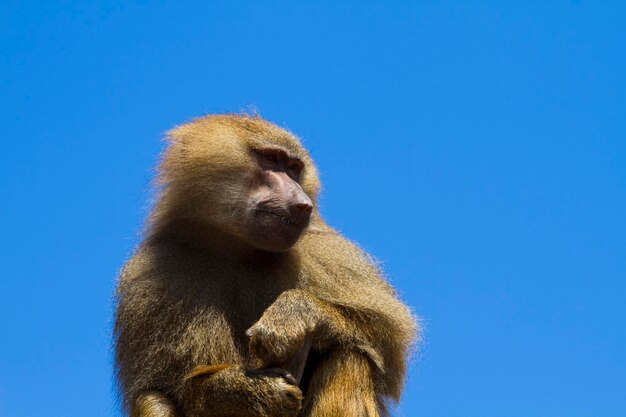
[283,328]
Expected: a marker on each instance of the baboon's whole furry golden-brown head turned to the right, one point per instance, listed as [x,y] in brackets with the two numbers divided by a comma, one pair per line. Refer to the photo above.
[242,176]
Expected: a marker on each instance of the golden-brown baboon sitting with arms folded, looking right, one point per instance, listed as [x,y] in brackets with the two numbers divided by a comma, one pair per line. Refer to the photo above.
[241,301]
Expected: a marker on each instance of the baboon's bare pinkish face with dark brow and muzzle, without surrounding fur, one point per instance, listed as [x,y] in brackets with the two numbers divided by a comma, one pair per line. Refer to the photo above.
[278,210]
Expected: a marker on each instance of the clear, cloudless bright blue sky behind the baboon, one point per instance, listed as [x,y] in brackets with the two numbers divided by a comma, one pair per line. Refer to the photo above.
[478,149]
